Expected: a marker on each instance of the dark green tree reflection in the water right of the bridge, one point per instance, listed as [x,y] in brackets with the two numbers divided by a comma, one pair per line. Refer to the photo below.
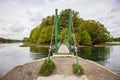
[95,54]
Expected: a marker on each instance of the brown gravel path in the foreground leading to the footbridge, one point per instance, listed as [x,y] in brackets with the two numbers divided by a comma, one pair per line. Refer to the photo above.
[93,71]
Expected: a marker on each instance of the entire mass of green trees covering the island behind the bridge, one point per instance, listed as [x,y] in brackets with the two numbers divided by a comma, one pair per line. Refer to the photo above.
[86,31]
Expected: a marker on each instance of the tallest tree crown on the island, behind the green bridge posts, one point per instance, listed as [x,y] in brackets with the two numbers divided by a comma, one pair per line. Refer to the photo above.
[64,16]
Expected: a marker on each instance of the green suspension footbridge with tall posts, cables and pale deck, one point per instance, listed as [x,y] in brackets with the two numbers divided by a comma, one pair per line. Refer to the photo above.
[65,48]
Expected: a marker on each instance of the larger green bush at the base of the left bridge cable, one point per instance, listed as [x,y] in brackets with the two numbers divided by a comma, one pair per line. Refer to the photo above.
[47,68]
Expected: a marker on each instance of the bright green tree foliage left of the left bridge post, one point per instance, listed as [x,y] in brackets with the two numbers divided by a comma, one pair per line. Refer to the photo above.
[42,33]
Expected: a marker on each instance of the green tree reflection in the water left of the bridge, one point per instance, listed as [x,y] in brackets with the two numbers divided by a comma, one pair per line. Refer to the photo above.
[38,52]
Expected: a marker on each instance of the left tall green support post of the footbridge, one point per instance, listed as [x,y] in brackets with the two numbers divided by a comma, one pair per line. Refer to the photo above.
[56,30]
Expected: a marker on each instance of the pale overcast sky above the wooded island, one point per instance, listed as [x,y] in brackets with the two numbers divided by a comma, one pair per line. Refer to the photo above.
[19,17]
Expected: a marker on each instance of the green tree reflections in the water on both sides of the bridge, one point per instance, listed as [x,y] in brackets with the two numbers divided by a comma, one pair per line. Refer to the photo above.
[95,54]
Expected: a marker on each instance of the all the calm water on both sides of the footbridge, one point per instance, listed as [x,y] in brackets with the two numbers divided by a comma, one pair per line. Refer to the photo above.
[12,55]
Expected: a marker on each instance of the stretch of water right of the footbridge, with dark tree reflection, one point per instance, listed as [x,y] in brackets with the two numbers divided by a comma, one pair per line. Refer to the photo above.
[106,56]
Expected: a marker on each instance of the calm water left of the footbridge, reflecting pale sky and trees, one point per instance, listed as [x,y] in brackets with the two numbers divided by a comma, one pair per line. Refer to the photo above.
[12,55]
